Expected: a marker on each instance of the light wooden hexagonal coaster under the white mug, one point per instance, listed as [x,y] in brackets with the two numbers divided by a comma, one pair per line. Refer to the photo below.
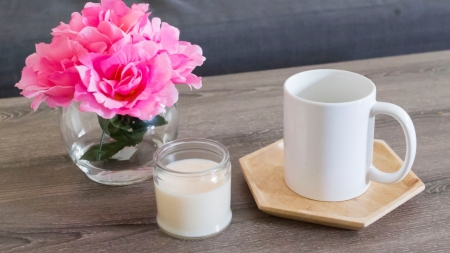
[263,171]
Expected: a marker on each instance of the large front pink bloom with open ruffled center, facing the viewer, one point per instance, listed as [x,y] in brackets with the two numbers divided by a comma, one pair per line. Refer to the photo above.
[133,81]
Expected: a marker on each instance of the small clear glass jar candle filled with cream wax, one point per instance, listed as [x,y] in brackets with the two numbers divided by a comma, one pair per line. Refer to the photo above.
[193,187]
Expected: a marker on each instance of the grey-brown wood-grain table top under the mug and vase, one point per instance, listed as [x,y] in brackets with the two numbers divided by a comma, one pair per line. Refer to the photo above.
[47,204]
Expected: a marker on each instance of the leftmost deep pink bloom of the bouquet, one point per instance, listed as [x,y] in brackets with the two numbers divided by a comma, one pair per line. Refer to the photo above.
[50,74]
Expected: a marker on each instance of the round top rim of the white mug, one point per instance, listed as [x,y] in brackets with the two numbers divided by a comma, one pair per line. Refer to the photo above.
[372,84]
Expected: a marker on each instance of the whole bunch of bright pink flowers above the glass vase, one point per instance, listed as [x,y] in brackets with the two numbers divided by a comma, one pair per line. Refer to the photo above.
[112,60]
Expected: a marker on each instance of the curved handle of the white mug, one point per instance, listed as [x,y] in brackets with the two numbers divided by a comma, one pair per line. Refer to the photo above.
[410,134]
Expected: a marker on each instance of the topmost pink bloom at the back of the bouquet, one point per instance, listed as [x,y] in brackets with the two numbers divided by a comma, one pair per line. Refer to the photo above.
[99,26]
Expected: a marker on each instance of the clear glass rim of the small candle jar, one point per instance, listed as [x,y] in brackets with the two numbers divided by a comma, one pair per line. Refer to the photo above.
[184,141]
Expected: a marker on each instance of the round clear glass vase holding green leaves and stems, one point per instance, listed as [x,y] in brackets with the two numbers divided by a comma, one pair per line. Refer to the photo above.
[108,159]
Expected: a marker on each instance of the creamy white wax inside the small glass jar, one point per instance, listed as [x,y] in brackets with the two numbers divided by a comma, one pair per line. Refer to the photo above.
[193,206]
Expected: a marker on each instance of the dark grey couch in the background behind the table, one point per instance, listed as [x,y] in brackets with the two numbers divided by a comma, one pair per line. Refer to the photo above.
[249,35]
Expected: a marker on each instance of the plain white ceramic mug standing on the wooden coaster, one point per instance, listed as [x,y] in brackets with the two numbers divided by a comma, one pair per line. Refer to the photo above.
[329,118]
